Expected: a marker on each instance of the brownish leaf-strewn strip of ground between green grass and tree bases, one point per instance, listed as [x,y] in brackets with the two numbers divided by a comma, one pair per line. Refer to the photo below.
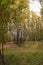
[29,46]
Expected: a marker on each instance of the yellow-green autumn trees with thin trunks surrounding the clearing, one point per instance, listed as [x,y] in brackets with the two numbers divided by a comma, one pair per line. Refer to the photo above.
[16,23]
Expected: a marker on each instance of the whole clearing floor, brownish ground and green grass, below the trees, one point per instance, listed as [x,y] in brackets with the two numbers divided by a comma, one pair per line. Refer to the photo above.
[31,53]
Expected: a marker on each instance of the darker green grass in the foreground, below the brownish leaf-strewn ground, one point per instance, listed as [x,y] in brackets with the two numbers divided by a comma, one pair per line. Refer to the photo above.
[24,59]
